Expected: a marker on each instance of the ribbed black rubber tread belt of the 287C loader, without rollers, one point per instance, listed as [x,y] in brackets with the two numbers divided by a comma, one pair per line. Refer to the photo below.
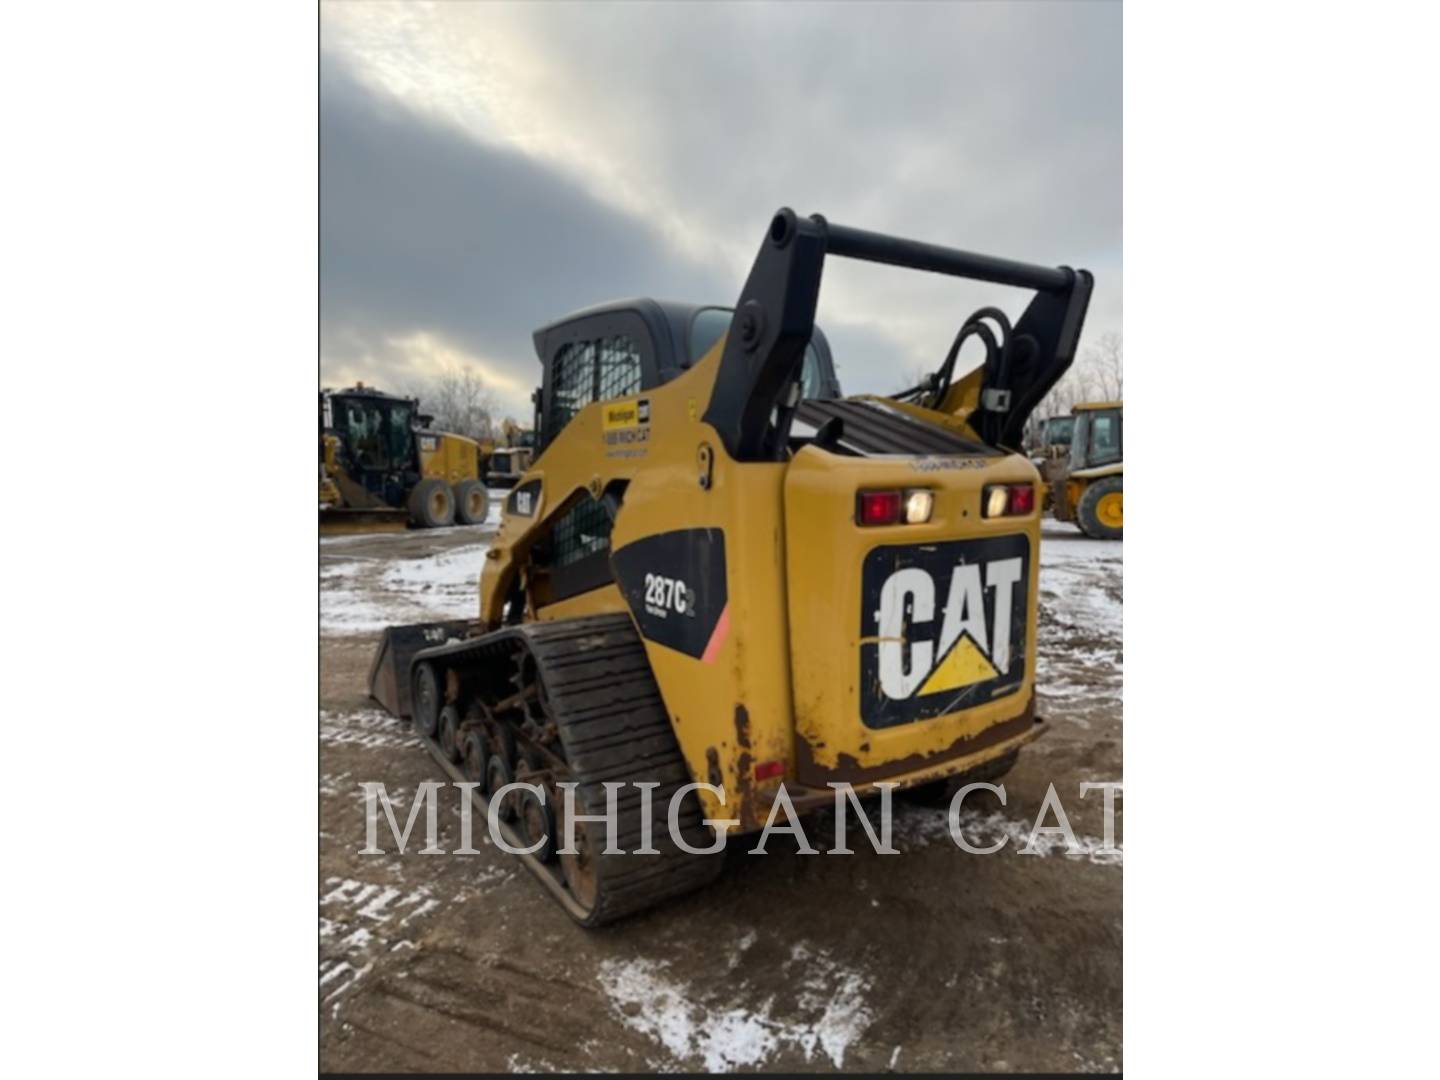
[614,726]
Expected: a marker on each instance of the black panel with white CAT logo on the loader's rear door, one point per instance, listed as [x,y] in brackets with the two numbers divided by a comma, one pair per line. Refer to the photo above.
[942,627]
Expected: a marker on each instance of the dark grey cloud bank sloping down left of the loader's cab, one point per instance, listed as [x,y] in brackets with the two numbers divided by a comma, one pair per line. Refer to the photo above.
[426,231]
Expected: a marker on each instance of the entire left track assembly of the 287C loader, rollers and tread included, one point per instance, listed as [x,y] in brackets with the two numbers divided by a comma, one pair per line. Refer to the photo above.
[575,702]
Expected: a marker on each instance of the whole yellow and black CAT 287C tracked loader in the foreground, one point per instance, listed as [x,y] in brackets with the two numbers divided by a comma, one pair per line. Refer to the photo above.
[718,572]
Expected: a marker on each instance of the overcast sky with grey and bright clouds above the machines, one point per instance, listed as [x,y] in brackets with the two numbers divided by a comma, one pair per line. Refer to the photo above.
[489,168]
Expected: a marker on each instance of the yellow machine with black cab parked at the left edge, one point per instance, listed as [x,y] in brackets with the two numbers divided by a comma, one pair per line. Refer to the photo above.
[382,467]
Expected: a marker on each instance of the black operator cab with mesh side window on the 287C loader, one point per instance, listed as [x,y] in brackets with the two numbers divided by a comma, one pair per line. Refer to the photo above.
[631,346]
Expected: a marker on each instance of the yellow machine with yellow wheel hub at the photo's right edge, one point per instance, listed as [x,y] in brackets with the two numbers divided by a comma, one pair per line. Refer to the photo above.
[1088,486]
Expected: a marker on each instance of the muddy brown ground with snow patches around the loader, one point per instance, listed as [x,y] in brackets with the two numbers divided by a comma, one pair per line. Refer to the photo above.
[932,960]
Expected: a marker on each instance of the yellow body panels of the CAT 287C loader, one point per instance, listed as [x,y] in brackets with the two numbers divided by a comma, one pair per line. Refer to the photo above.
[781,683]
